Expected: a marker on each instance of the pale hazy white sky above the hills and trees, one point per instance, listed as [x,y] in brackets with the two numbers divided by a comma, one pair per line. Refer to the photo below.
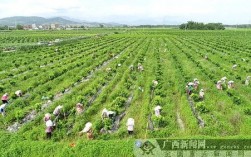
[134,11]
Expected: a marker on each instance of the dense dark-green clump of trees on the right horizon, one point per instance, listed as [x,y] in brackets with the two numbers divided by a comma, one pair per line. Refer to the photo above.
[191,25]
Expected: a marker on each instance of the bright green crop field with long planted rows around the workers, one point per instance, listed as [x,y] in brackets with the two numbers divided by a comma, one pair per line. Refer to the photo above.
[73,69]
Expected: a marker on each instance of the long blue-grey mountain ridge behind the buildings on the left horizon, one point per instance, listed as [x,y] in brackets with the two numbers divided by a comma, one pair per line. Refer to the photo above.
[28,20]
